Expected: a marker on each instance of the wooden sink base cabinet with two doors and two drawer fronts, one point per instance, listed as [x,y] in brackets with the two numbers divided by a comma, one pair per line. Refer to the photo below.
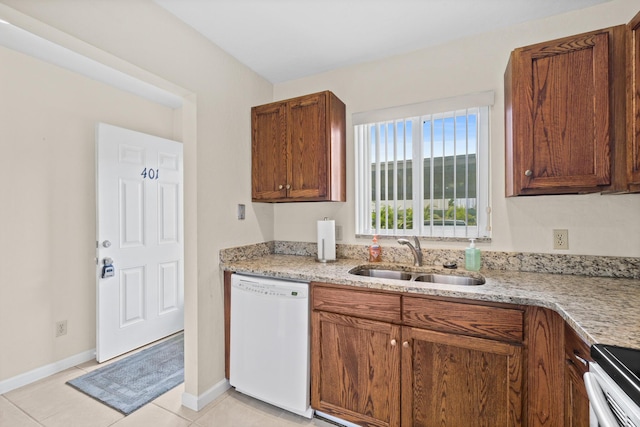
[373,372]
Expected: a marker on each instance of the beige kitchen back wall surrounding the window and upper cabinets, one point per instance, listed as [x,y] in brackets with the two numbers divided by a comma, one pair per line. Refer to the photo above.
[598,225]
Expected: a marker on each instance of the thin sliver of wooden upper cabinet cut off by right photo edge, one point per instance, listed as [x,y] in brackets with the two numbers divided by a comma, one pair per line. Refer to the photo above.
[633,105]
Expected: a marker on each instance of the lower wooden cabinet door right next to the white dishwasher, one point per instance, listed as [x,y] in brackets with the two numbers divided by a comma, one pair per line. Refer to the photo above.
[355,369]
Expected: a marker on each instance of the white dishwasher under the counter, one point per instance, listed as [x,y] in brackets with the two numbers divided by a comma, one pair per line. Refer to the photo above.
[269,355]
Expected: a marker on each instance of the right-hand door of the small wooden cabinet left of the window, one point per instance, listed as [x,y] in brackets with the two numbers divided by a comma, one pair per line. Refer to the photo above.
[307,156]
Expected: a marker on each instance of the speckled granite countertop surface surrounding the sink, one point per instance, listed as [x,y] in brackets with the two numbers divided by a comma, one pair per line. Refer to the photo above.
[601,309]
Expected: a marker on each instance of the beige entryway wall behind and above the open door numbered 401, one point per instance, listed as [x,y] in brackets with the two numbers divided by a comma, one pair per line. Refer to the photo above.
[47,267]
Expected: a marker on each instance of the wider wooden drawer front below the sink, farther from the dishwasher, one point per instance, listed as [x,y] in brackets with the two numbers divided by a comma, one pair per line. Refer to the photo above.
[468,319]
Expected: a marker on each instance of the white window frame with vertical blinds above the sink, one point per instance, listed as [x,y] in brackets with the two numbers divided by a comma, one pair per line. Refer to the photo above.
[363,170]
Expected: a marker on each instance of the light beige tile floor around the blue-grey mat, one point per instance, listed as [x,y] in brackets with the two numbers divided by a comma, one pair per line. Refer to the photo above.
[52,403]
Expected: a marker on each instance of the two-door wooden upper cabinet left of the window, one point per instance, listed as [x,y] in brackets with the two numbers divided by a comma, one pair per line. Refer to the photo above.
[298,149]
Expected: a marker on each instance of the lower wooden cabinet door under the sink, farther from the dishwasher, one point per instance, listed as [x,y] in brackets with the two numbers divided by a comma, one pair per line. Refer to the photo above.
[454,380]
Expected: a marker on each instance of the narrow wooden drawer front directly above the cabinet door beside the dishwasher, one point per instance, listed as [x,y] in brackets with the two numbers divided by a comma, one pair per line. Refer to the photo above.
[365,304]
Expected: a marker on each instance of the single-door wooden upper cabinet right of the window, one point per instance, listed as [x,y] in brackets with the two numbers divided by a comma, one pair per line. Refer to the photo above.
[565,114]
